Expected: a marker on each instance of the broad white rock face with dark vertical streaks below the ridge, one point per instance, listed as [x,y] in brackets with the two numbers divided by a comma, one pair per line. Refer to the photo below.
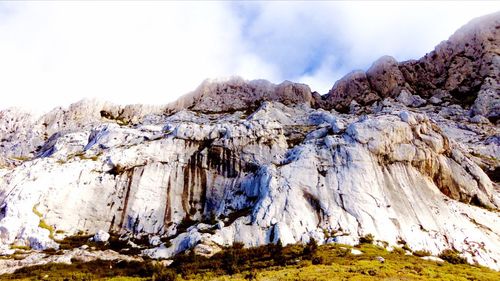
[283,173]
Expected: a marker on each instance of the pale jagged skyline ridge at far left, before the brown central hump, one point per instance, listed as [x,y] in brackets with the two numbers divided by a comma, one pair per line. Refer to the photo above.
[24,132]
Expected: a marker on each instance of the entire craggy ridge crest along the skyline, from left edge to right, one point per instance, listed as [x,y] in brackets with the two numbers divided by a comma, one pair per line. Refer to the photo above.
[463,70]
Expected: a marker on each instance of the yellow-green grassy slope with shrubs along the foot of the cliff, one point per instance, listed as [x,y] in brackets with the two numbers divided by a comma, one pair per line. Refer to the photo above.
[272,262]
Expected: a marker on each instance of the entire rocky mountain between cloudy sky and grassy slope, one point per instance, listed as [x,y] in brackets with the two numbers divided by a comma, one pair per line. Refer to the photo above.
[406,151]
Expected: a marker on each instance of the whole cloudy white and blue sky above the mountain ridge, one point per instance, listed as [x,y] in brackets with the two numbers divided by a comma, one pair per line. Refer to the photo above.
[56,53]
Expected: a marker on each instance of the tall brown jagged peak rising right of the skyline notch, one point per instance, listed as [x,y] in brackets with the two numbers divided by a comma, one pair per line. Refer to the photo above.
[465,69]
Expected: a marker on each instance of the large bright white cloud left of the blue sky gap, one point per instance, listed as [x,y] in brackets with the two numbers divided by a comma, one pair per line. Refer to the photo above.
[126,52]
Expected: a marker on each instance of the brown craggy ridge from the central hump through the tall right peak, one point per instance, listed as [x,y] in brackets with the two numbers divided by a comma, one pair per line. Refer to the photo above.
[464,70]
